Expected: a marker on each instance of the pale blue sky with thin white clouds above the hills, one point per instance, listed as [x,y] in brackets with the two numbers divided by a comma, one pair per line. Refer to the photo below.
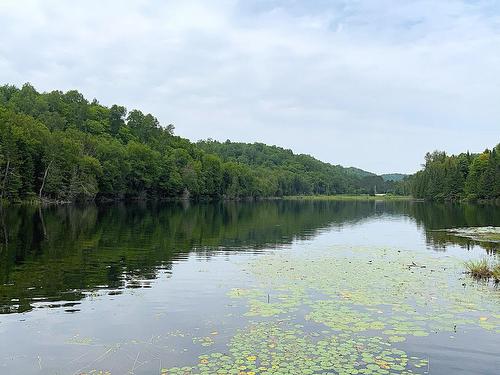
[370,84]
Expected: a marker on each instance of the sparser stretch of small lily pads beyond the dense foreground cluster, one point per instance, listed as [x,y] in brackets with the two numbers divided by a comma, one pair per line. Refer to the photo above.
[399,293]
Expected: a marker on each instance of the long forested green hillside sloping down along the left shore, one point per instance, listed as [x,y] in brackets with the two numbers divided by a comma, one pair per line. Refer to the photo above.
[59,146]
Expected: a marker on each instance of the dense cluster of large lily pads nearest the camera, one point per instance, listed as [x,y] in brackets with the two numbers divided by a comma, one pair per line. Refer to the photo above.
[279,347]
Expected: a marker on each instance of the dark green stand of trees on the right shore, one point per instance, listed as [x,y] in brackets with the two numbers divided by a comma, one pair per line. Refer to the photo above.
[455,177]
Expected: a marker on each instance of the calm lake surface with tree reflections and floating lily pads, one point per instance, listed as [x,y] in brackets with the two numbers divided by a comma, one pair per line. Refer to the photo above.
[274,287]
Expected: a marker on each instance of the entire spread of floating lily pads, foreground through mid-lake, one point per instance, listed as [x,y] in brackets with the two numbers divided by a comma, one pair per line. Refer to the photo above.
[364,302]
